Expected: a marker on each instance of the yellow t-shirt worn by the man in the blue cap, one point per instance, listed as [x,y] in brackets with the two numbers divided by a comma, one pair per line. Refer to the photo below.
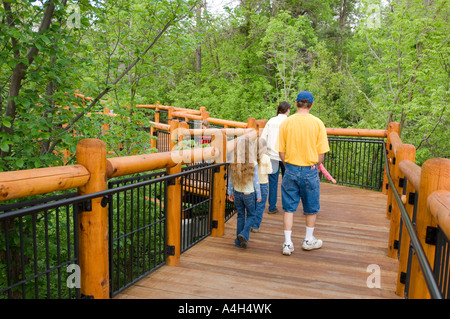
[302,137]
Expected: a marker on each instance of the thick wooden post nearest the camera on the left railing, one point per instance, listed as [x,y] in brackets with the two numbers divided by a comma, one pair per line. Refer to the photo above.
[93,223]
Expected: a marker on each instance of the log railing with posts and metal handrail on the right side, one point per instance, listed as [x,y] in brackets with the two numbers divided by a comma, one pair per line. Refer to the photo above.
[418,207]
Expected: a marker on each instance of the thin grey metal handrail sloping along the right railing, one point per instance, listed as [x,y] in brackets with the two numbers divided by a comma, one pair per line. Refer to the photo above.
[424,264]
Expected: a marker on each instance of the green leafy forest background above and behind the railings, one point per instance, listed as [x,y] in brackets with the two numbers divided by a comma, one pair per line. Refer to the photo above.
[366,62]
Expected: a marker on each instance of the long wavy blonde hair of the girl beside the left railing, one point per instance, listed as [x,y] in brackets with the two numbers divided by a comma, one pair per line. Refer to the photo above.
[242,168]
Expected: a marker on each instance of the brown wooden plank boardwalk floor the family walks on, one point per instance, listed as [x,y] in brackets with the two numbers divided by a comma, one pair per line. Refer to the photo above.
[352,224]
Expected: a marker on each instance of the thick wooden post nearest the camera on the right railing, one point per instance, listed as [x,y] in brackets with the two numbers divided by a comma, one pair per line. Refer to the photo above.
[435,175]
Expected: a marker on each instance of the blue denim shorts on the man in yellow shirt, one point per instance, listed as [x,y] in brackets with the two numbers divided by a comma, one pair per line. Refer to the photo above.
[301,182]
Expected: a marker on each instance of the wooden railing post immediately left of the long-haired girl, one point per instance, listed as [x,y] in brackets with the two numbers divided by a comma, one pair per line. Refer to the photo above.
[219,194]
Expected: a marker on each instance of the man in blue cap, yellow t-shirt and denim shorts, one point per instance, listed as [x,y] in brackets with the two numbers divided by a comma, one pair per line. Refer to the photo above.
[302,143]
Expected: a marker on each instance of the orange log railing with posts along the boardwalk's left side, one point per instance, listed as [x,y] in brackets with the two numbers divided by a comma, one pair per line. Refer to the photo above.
[90,175]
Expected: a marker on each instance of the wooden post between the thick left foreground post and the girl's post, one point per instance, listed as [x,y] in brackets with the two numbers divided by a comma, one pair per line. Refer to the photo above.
[173,204]
